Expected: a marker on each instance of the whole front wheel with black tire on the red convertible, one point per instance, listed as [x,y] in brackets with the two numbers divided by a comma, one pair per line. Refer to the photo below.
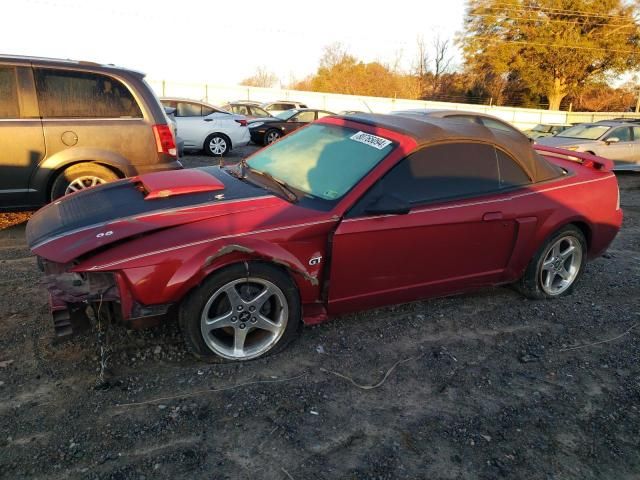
[242,330]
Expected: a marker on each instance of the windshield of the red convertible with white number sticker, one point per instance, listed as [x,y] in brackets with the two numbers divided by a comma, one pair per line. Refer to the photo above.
[324,161]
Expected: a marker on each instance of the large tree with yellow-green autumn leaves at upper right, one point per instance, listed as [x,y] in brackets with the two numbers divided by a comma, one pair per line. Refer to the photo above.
[553,47]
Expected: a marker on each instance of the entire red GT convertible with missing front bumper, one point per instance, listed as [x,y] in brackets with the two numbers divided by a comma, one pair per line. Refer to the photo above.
[349,213]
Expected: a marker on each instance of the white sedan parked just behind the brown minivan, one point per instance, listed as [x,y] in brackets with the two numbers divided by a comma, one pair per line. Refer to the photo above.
[205,127]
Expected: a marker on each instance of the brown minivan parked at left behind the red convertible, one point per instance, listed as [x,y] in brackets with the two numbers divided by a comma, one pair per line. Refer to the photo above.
[67,125]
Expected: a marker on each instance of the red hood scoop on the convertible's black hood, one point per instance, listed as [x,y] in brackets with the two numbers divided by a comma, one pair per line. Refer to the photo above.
[178,182]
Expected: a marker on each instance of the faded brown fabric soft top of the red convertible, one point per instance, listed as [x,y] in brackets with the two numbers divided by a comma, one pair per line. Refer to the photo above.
[427,131]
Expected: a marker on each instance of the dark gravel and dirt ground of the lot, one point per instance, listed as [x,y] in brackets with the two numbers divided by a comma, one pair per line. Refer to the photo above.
[487,385]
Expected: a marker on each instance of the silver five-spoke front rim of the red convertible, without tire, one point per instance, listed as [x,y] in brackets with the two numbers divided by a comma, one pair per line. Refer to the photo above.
[244,318]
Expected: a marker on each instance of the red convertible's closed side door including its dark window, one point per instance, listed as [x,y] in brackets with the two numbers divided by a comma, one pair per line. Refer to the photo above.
[458,232]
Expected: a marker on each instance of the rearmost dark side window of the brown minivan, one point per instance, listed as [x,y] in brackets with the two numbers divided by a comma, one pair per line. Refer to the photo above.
[69,94]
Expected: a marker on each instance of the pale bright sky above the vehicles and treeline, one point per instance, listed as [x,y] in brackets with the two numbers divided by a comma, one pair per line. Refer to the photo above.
[222,42]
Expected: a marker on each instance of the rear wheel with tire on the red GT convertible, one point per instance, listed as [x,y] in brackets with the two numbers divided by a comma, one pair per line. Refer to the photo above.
[553,272]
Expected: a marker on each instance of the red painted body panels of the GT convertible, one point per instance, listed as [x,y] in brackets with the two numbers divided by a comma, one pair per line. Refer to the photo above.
[441,249]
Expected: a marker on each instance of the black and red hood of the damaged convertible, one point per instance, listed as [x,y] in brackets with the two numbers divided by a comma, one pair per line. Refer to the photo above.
[92,219]
